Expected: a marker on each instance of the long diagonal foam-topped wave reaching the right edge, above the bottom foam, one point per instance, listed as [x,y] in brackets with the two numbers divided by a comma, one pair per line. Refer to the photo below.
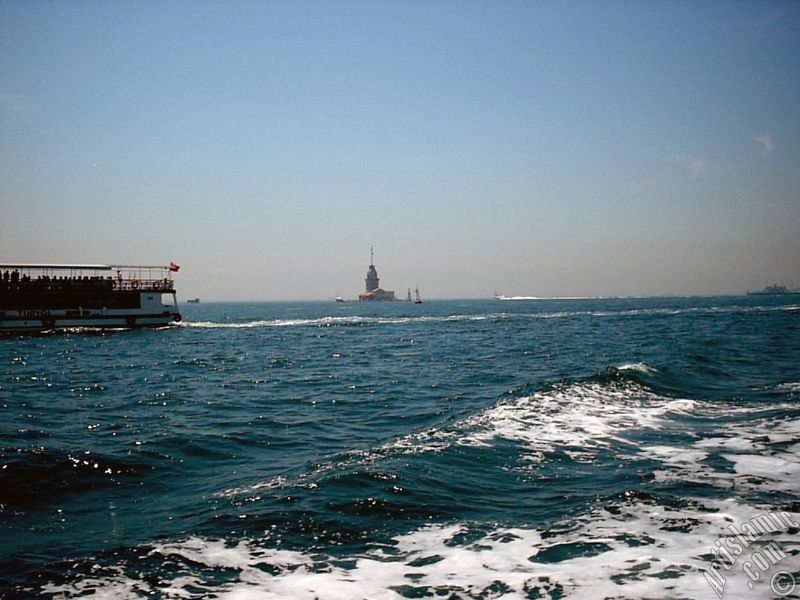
[607,412]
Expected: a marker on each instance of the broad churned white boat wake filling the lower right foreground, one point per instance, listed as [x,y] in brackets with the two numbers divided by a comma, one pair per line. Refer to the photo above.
[630,544]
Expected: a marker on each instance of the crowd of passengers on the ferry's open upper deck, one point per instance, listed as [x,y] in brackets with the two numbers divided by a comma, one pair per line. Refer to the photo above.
[13,280]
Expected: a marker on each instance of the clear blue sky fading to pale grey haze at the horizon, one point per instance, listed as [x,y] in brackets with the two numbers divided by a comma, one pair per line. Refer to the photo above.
[524,148]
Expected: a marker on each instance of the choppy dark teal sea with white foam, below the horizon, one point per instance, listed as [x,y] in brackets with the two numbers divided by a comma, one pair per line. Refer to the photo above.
[564,448]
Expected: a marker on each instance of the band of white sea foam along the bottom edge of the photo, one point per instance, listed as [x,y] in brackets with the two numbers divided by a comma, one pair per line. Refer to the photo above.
[641,551]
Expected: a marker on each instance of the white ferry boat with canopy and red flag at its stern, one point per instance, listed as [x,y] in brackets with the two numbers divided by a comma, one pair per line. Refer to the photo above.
[42,297]
